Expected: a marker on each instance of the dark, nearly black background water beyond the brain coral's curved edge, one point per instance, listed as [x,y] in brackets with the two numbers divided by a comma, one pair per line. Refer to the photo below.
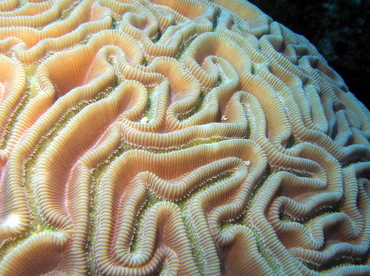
[340,30]
